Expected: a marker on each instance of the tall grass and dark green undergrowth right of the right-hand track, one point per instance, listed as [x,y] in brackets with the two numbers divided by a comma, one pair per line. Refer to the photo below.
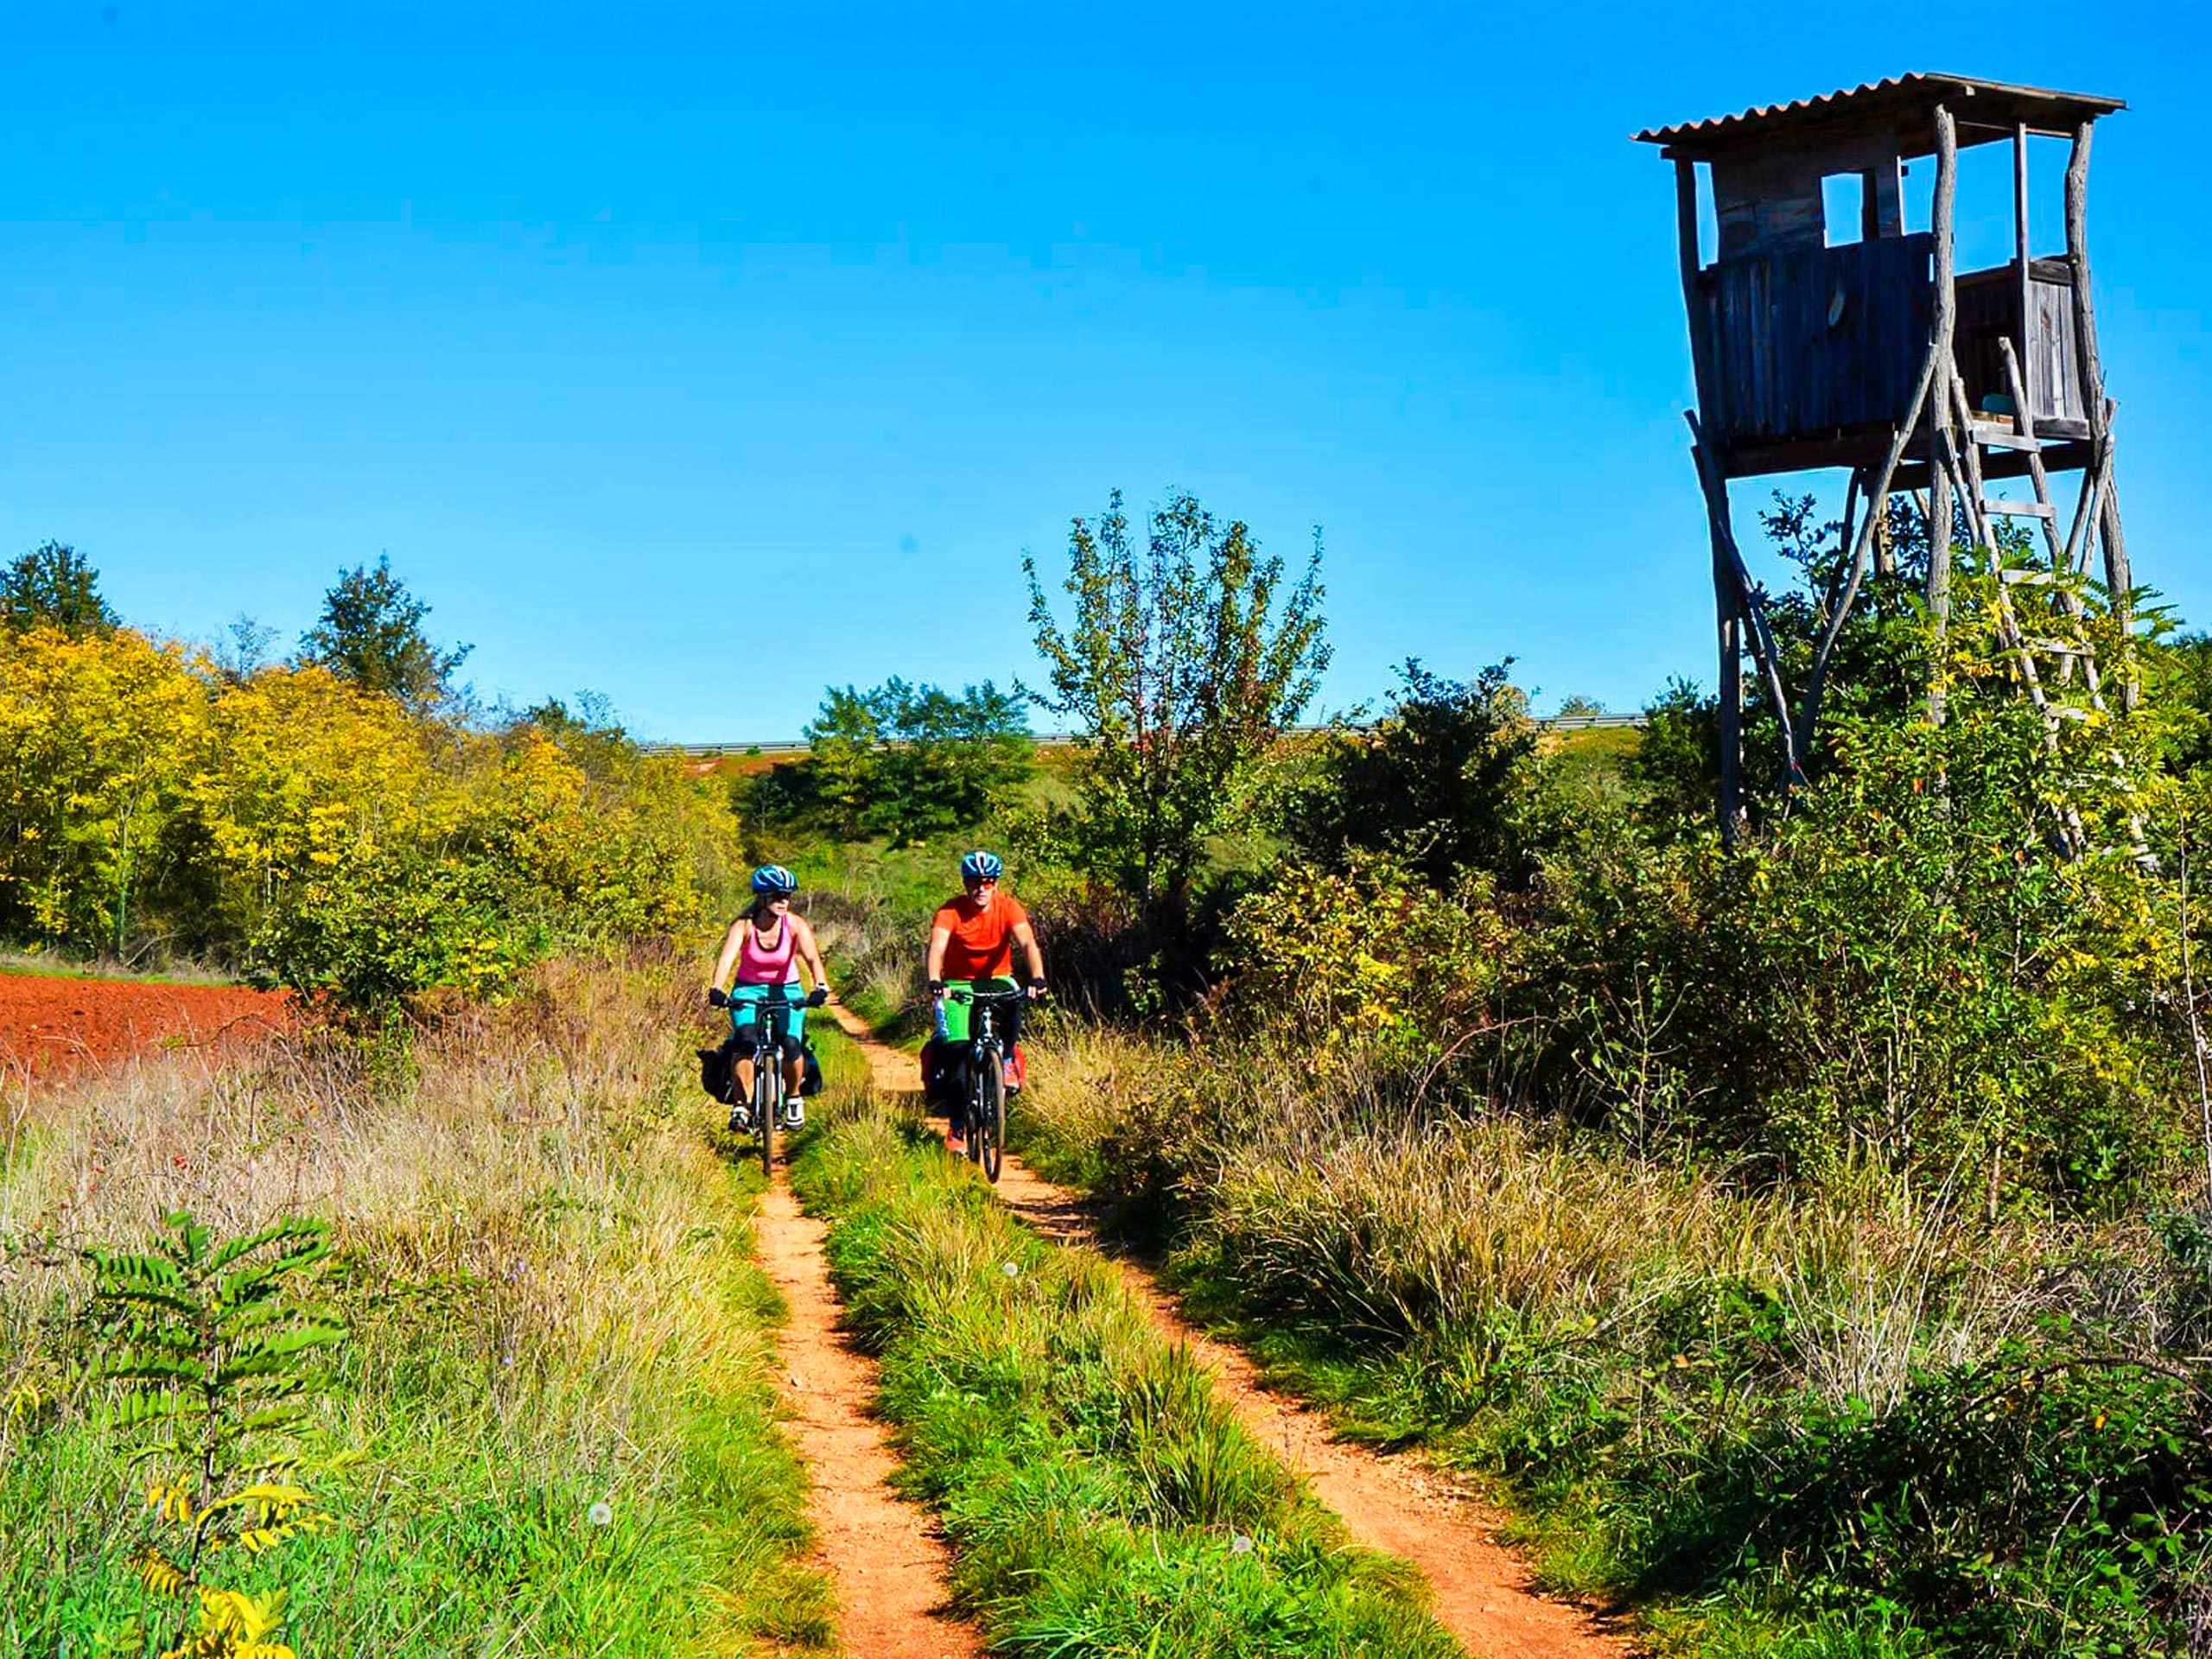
[1782,1410]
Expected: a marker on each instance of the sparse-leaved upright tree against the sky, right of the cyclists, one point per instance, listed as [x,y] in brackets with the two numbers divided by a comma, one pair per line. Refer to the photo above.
[1180,667]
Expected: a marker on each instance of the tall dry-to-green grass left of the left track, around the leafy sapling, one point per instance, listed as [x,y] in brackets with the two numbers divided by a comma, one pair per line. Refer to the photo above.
[561,1344]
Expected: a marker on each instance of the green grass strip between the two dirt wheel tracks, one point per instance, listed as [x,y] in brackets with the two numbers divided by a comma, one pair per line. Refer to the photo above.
[1098,1494]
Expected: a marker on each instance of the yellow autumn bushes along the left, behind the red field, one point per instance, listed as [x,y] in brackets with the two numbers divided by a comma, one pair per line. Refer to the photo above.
[328,837]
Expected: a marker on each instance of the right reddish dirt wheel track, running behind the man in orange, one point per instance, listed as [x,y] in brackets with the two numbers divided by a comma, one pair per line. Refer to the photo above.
[1390,1503]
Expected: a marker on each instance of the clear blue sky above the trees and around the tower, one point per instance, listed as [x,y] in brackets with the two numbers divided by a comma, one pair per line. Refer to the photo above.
[713,355]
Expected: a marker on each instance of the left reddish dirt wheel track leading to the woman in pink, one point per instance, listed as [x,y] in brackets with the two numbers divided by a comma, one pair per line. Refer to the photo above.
[884,1556]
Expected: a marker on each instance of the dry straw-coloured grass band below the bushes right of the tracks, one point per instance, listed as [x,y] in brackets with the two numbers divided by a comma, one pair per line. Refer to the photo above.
[1364,1215]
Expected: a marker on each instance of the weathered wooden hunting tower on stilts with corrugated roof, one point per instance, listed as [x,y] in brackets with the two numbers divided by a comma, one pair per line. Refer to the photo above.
[1861,346]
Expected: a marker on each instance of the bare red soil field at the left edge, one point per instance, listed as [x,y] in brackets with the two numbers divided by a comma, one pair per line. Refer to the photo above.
[59,1027]
